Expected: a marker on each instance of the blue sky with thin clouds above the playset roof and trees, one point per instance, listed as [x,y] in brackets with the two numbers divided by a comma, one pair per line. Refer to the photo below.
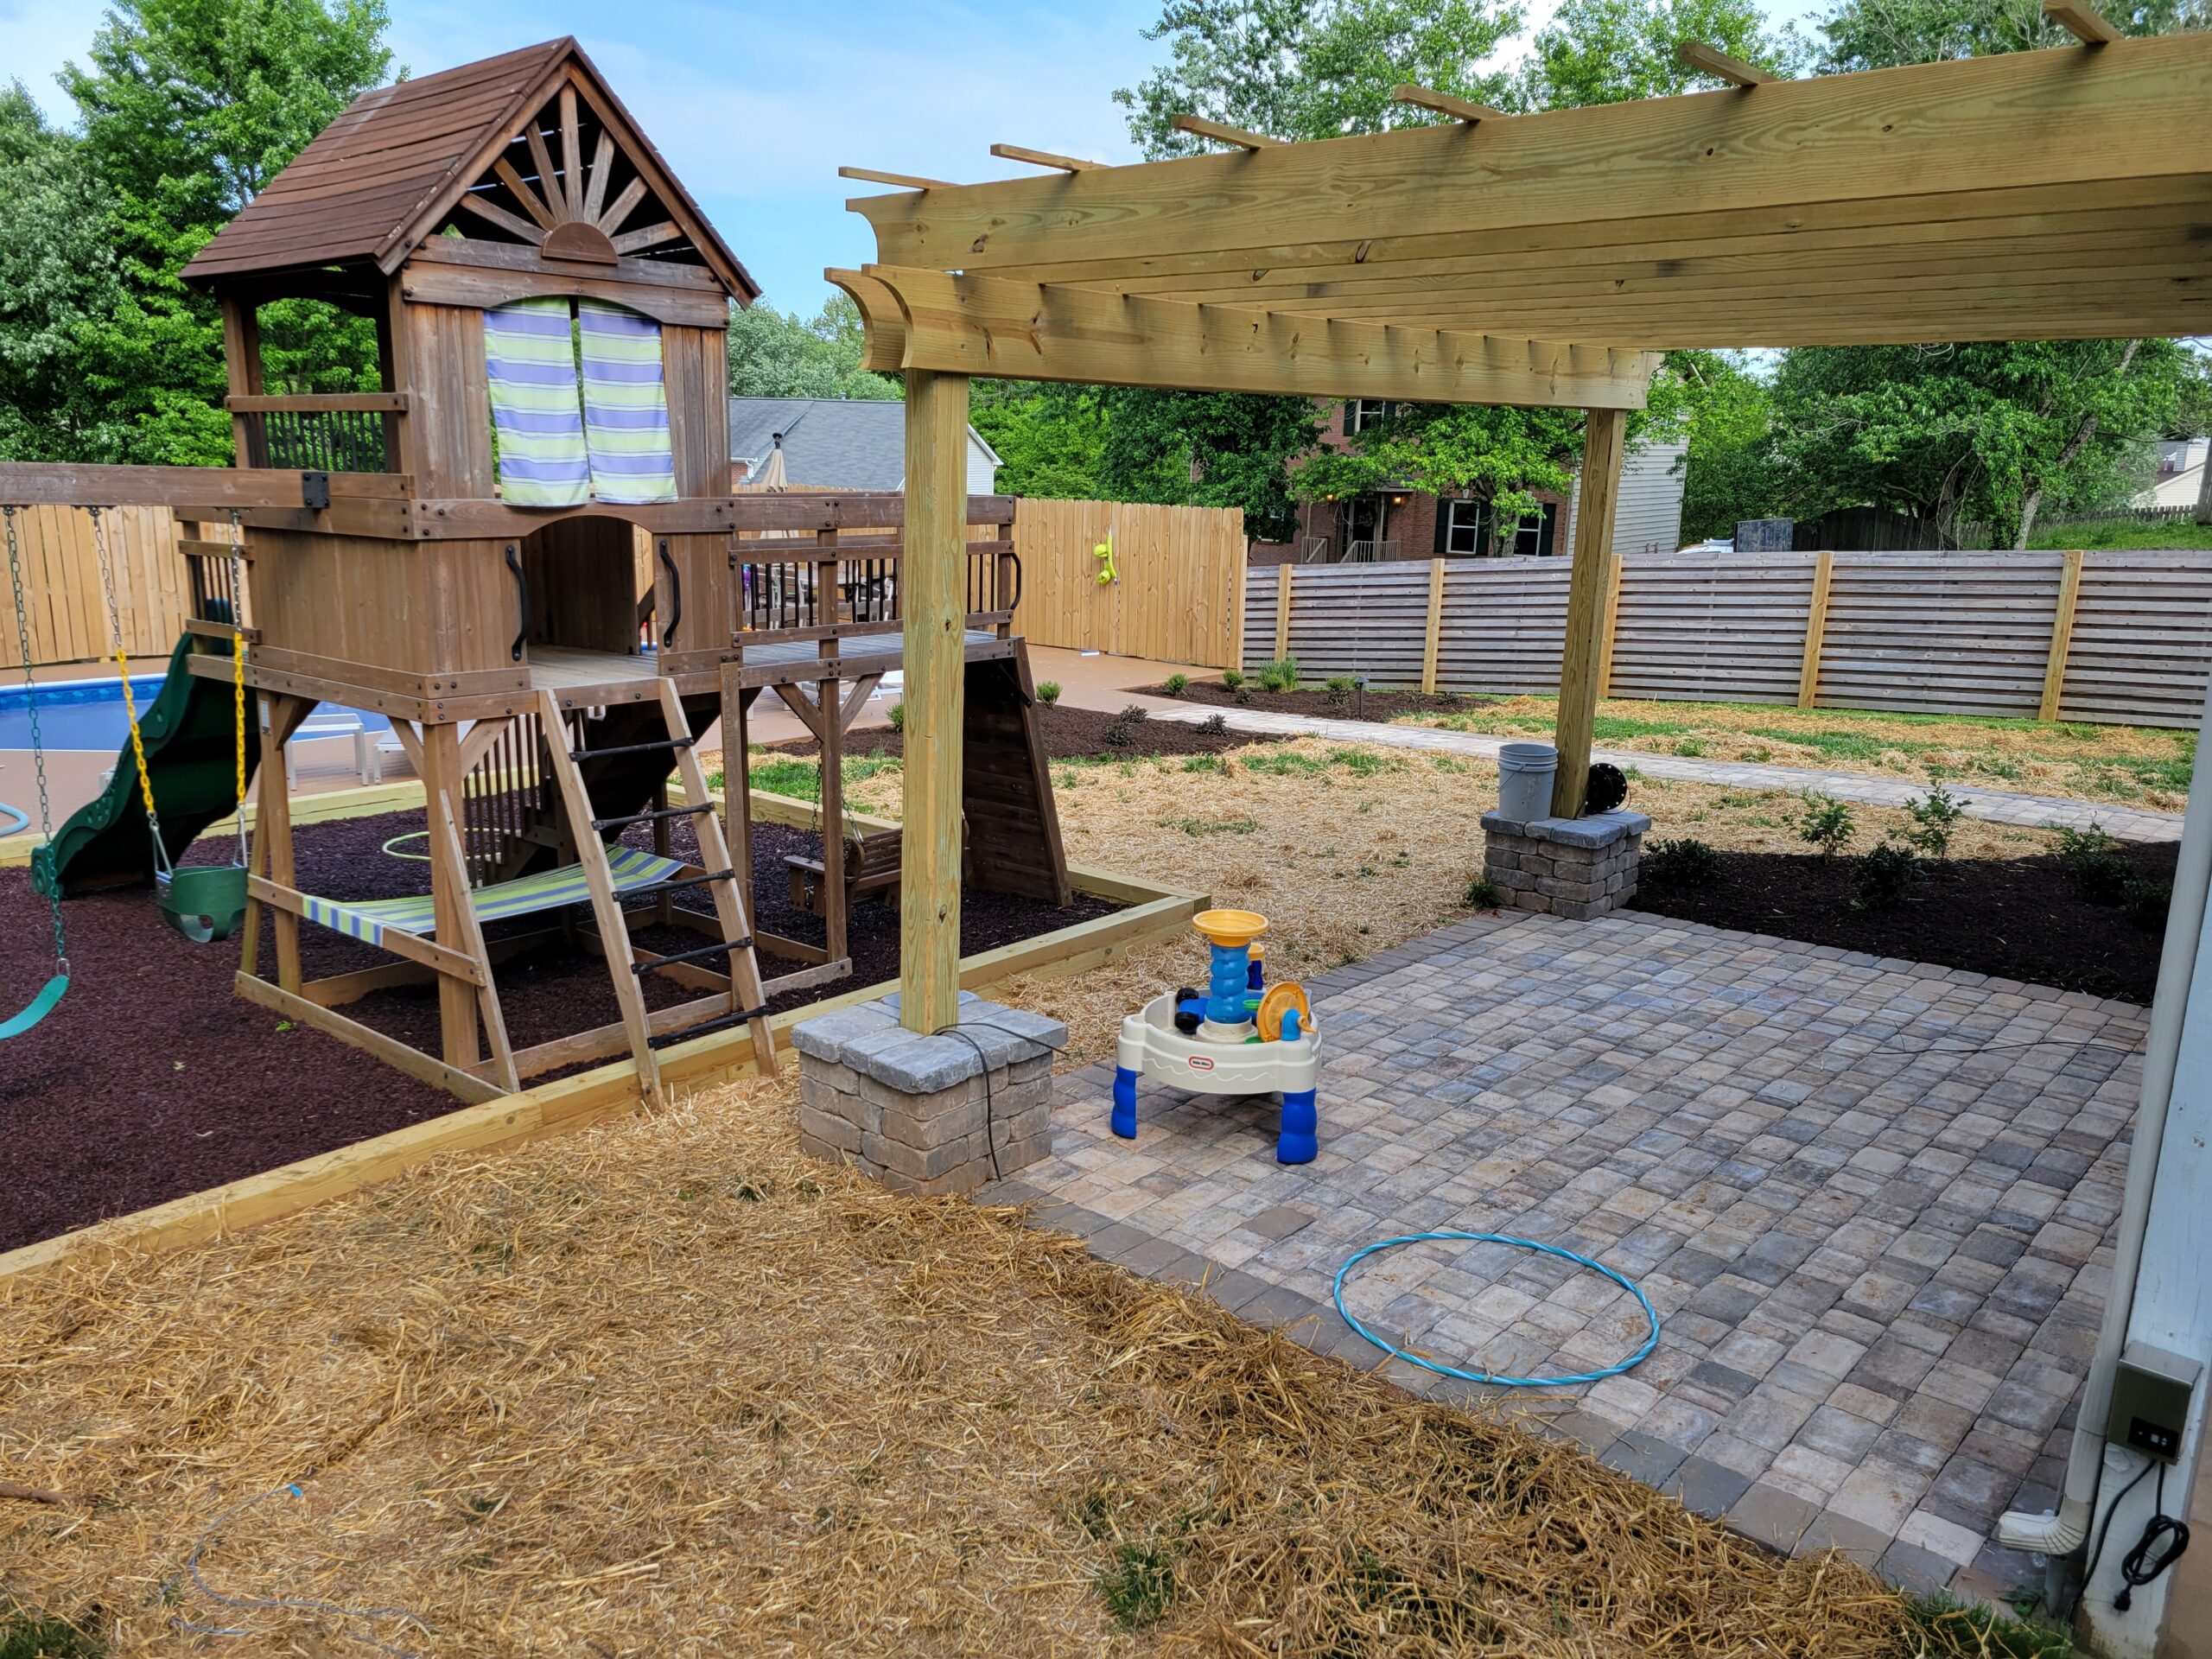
[758,105]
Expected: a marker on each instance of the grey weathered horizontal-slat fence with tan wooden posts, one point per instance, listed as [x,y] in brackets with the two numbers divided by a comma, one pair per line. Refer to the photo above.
[2105,636]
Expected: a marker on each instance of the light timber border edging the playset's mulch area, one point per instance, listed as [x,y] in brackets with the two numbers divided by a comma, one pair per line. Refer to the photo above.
[589,1098]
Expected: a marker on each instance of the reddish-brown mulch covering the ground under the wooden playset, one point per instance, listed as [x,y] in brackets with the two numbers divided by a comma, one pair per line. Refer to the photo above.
[156,1081]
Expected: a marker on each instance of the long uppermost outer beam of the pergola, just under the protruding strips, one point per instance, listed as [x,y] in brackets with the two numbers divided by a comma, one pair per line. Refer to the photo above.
[1903,147]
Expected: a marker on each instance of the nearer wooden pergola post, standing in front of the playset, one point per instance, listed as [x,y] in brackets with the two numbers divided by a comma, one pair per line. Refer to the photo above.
[932,585]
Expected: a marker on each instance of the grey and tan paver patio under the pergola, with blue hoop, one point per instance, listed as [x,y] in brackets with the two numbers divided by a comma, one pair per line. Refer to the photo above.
[1868,1198]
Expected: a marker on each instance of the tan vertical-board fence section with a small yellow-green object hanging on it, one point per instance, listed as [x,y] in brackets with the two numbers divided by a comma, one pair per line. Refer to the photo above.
[1178,587]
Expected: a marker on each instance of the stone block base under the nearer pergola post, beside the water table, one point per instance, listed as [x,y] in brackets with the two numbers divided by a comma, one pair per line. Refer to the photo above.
[924,1114]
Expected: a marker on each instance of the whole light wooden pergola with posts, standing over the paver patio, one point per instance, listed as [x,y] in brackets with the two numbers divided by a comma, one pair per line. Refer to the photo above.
[1530,260]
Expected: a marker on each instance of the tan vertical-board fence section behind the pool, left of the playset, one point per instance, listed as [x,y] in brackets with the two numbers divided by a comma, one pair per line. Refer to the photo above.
[61,578]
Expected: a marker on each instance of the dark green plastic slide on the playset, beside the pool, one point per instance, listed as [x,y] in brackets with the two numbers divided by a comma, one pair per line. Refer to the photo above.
[191,758]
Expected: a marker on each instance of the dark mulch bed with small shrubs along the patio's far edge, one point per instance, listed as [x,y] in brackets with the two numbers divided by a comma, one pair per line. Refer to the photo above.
[2014,919]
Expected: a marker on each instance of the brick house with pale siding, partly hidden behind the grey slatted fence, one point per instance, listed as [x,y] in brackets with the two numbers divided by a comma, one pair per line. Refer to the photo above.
[1417,525]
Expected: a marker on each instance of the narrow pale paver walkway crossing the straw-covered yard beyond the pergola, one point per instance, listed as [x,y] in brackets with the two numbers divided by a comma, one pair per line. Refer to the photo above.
[1994,806]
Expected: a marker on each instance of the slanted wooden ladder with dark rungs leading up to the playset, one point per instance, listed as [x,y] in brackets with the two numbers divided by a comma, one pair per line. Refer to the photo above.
[744,999]
